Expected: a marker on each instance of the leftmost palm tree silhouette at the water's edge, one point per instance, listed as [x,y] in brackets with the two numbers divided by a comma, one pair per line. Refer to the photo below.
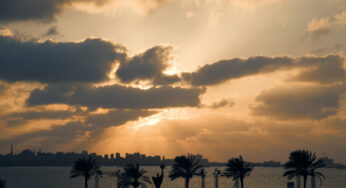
[85,168]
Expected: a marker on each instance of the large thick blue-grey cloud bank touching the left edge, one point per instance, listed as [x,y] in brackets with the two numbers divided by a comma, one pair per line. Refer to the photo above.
[48,62]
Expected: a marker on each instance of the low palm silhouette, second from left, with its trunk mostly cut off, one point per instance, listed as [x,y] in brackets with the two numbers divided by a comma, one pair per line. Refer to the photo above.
[133,176]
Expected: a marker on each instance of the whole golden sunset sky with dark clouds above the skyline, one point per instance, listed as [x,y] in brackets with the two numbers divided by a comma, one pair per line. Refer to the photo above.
[223,78]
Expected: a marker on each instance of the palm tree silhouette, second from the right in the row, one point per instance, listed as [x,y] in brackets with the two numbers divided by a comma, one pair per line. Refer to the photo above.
[238,169]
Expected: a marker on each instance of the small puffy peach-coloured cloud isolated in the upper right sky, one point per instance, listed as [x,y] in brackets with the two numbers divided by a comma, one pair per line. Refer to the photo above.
[318,28]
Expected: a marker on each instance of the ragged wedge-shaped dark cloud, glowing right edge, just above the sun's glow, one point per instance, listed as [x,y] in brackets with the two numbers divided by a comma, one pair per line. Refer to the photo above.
[148,66]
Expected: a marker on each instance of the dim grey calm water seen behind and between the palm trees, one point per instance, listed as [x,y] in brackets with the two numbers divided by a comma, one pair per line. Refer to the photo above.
[58,177]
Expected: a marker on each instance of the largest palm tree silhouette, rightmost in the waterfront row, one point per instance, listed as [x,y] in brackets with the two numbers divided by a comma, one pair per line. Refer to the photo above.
[303,163]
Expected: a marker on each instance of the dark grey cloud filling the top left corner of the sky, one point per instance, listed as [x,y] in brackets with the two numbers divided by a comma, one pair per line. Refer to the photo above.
[35,10]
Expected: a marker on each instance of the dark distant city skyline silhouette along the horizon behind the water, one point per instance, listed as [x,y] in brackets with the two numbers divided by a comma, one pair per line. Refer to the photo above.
[31,158]
